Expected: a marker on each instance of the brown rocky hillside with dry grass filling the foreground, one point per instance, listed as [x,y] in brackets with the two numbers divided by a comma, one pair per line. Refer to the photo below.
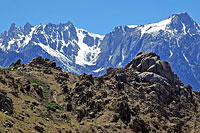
[144,96]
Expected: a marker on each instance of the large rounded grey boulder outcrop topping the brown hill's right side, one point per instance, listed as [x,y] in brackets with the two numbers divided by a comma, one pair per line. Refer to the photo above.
[152,68]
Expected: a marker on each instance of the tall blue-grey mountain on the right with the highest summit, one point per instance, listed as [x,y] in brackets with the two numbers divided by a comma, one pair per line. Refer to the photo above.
[176,39]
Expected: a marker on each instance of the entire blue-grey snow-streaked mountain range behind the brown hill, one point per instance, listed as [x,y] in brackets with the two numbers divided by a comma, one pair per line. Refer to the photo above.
[176,40]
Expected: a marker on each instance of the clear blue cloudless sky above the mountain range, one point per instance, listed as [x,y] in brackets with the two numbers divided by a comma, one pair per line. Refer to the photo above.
[98,16]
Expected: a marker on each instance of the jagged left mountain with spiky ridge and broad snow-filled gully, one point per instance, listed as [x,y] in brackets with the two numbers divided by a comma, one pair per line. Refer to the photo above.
[71,47]
